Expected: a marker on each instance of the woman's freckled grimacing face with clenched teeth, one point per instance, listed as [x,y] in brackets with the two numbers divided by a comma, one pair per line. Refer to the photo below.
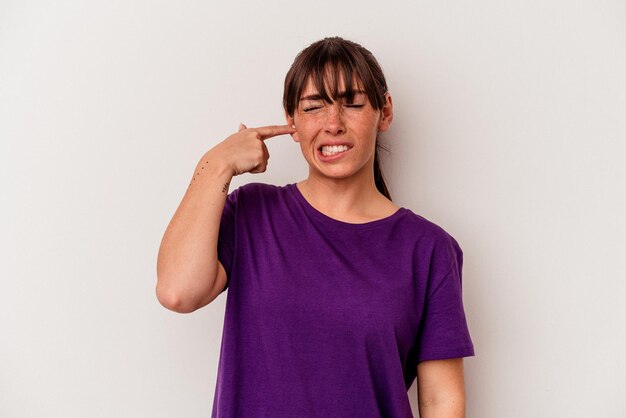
[338,139]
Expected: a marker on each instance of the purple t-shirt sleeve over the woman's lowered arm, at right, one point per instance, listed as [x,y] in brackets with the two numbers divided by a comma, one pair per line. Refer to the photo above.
[444,332]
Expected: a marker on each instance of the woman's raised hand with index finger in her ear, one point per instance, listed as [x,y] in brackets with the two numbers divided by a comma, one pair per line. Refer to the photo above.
[245,151]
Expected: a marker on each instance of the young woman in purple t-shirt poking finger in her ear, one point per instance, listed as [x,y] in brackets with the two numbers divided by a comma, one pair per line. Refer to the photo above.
[337,298]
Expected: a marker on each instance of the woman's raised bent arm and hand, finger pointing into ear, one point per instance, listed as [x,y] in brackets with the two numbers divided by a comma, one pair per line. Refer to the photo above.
[189,275]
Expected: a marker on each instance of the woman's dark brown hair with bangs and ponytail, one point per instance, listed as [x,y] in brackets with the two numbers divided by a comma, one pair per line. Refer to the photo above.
[328,62]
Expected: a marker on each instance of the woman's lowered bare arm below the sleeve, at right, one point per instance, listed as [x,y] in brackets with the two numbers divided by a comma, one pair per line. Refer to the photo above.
[441,388]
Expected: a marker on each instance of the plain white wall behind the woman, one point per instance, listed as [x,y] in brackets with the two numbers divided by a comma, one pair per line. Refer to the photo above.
[509,132]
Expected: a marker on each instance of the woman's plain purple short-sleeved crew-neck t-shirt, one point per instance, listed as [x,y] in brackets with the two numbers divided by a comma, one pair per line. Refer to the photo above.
[326,318]
